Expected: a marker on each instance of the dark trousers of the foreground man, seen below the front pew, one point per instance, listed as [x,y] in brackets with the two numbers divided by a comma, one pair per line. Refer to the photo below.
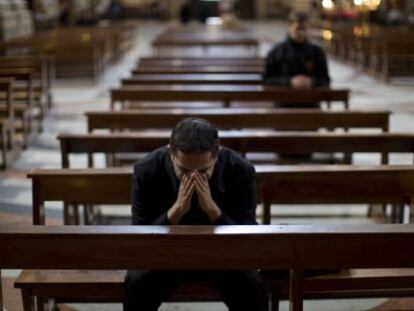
[239,290]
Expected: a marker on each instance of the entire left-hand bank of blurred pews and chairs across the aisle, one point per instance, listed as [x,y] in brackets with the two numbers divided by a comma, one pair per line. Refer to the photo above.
[29,67]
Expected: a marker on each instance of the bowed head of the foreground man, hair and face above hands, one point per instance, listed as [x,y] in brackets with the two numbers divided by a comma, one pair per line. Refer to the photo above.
[194,145]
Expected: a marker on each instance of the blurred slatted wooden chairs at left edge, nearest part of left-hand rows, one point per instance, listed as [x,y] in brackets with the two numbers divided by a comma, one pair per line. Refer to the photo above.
[25,100]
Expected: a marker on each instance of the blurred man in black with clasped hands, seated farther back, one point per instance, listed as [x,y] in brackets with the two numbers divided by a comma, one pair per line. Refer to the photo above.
[295,62]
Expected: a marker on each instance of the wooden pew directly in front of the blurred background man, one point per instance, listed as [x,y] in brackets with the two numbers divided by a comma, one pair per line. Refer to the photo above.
[226,94]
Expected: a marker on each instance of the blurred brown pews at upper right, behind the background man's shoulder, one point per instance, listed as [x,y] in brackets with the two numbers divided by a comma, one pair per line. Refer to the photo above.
[385,52]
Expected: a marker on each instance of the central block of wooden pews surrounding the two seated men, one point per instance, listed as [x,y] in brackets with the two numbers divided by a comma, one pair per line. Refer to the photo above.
[139,120]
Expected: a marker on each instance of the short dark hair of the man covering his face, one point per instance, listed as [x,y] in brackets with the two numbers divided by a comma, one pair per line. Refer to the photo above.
[194,135]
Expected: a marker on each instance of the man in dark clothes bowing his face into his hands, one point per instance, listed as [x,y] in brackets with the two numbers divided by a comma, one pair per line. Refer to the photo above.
[194,181]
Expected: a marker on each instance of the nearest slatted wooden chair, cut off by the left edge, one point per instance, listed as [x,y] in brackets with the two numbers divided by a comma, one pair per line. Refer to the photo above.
[6,121]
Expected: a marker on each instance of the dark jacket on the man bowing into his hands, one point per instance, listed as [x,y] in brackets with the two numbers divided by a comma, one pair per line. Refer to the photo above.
[155,190]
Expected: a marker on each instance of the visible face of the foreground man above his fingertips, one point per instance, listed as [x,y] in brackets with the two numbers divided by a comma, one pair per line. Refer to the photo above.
[187,163]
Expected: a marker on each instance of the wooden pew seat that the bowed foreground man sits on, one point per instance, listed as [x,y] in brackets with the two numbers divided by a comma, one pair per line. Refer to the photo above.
[65,286]
